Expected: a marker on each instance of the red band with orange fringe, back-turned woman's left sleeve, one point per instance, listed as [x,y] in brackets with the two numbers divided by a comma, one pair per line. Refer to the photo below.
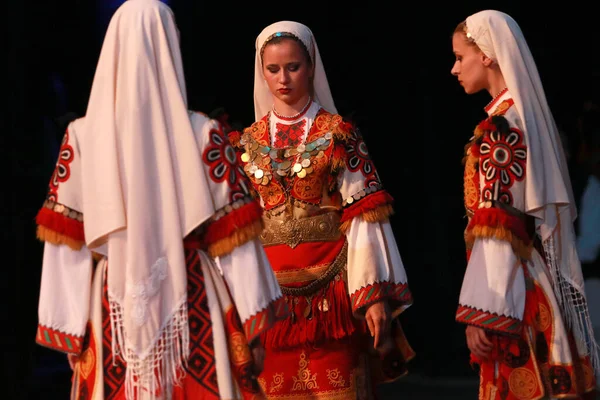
[59,224]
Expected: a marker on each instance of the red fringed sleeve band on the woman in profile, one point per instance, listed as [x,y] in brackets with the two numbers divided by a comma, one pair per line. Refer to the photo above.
[499,224]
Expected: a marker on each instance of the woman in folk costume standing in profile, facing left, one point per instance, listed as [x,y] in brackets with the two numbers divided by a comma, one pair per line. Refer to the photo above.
[522,297]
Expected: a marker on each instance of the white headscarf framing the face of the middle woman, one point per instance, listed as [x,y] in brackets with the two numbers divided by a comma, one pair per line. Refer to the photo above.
[263,99]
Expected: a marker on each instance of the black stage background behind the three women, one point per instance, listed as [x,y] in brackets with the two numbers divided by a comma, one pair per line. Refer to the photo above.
[388,65]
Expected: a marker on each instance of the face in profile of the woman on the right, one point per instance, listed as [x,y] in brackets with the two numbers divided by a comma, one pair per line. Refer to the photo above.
[469,67]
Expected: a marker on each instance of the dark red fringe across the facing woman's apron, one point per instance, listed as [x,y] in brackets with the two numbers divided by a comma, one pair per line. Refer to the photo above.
[336,323]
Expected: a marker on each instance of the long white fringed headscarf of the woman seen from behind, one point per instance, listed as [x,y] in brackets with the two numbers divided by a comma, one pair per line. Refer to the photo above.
[144,189]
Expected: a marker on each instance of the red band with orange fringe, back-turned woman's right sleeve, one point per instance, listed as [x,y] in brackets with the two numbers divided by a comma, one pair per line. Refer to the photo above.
[233,226]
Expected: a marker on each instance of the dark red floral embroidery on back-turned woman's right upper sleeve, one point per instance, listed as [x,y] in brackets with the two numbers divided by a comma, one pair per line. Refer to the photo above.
[222,160]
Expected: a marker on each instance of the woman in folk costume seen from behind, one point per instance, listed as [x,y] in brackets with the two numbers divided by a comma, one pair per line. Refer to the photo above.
[153,193]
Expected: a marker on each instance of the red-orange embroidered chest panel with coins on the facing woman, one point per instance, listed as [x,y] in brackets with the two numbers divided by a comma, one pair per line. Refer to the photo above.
[299,170]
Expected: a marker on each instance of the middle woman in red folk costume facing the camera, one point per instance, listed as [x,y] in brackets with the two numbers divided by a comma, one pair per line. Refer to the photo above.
[327,233]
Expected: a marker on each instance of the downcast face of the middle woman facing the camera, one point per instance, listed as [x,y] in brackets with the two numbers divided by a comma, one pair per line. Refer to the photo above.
[287,71]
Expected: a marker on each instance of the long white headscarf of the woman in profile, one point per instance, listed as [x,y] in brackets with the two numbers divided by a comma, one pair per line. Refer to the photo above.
[548,192]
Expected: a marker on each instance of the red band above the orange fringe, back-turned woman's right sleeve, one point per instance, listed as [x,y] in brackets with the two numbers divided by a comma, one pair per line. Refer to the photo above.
[235,220]
